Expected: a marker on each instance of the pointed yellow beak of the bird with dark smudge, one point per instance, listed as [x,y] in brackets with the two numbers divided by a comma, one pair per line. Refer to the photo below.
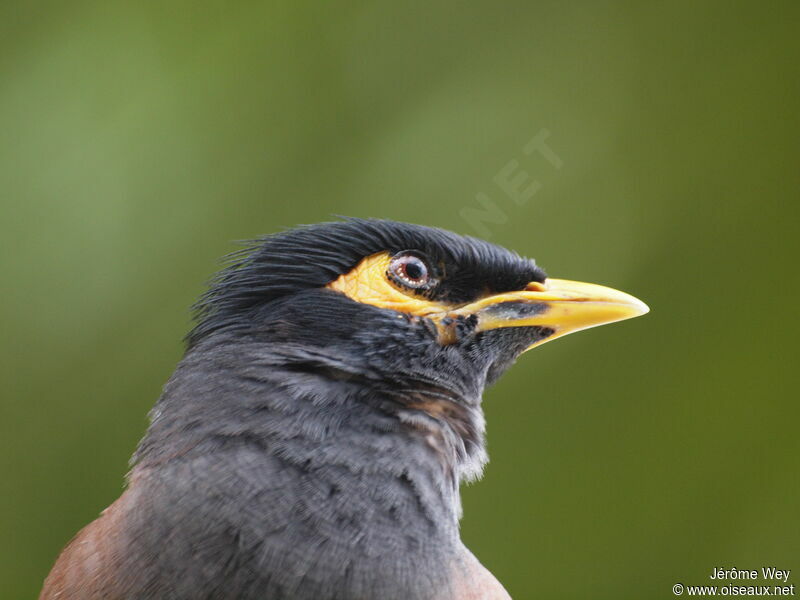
[561,305]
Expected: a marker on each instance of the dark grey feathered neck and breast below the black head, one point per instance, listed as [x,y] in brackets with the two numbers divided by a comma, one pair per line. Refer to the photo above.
[247,458]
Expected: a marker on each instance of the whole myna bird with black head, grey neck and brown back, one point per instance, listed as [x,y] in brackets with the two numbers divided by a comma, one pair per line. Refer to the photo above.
[311,442]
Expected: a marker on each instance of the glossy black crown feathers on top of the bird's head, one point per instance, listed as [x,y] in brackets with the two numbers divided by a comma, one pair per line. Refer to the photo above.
[312,256]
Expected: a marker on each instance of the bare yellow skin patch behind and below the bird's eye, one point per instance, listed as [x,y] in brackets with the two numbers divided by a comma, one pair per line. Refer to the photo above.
[368,283]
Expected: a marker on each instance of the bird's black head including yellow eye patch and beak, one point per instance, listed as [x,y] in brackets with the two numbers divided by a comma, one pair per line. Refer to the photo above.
[399,303]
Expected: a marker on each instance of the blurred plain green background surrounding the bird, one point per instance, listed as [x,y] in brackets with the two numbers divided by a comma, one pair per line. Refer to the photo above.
[137,140]
